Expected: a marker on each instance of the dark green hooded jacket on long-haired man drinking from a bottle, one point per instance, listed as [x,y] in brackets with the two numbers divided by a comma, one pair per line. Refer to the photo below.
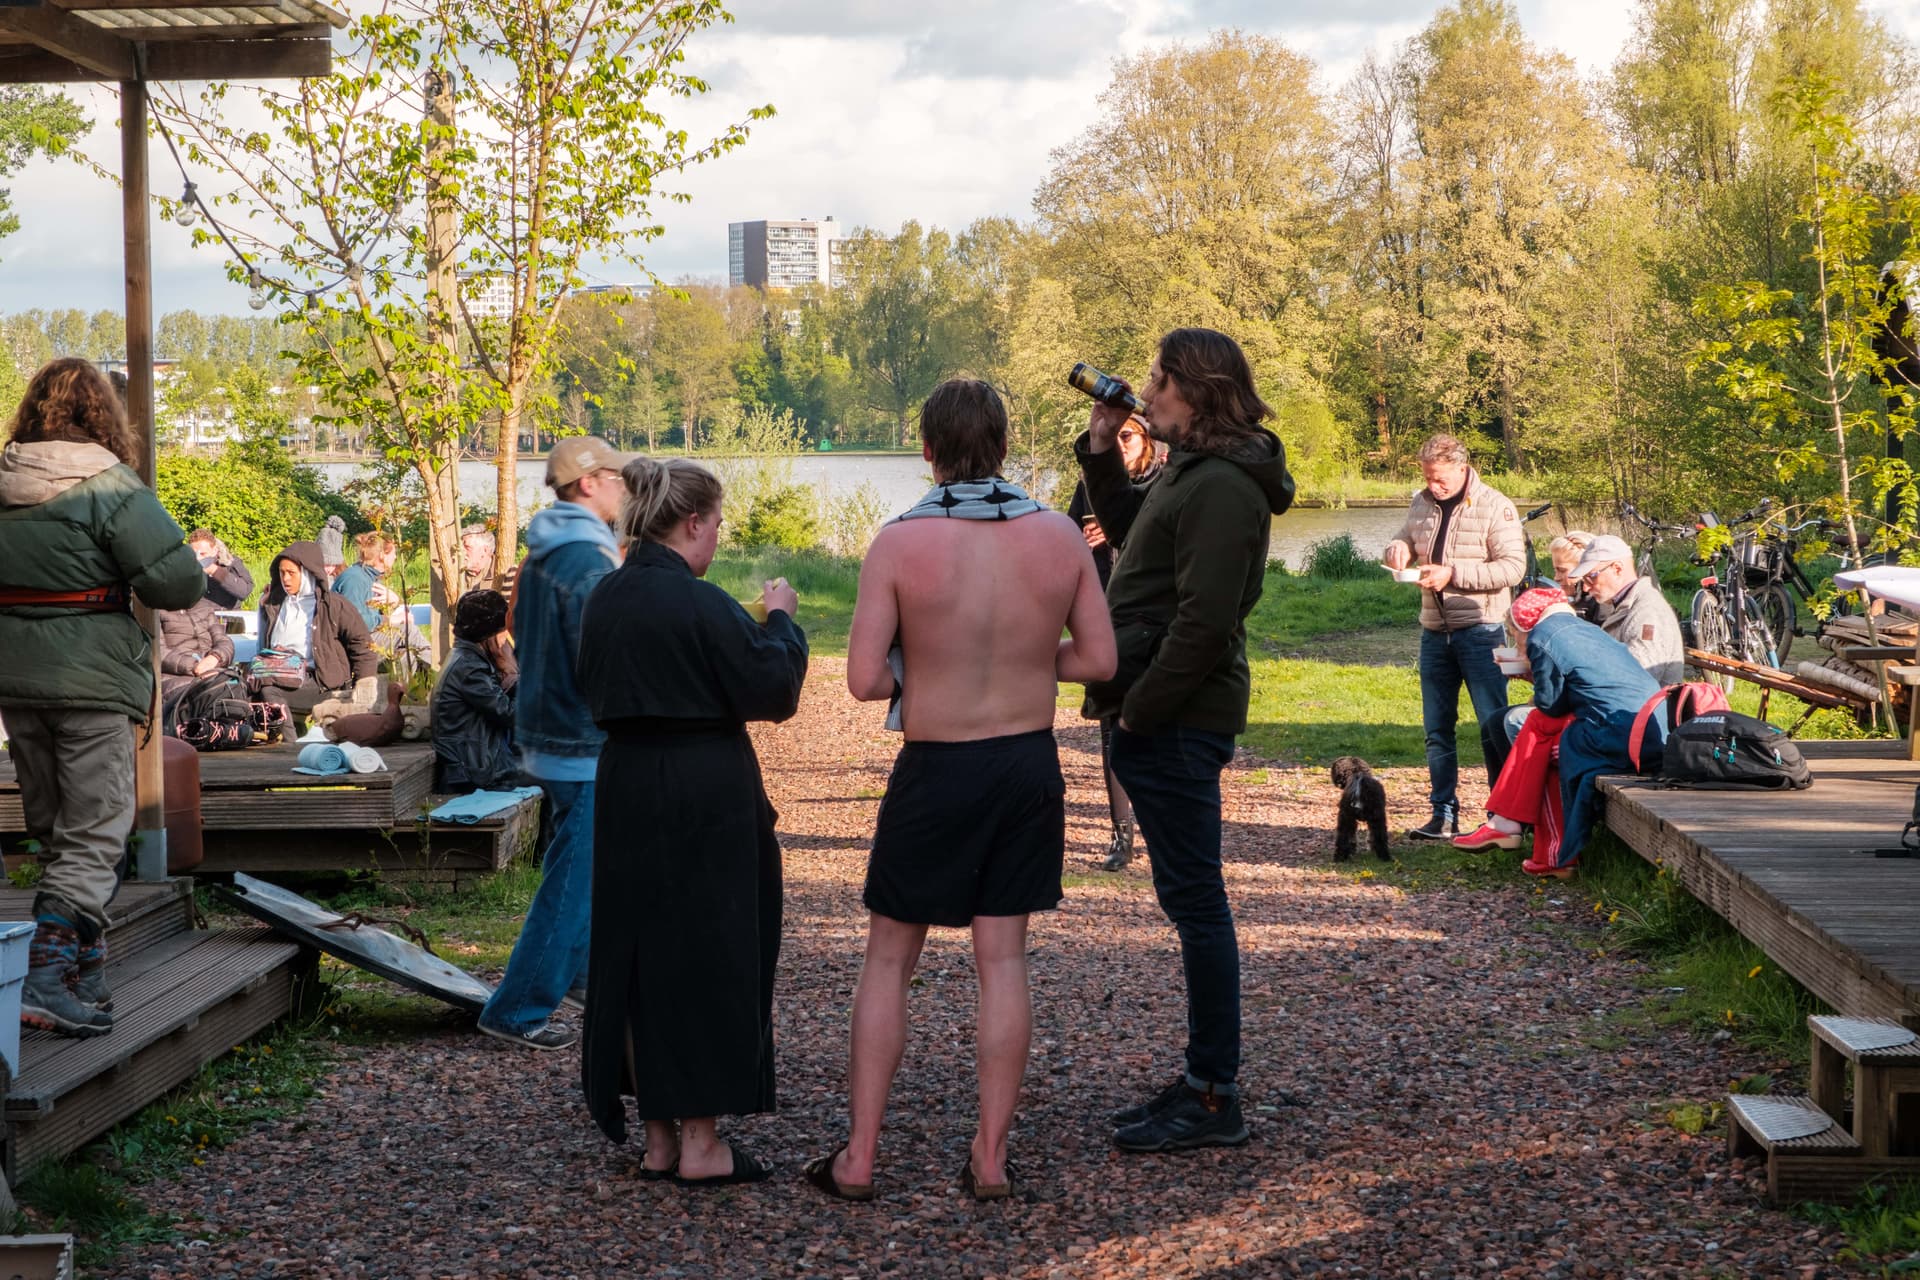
[1191,569]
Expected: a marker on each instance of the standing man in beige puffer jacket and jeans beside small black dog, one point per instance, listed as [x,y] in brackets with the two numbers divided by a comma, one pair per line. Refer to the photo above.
[1468,540]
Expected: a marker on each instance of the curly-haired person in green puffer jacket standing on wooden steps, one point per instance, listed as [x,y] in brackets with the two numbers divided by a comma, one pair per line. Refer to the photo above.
[80,538]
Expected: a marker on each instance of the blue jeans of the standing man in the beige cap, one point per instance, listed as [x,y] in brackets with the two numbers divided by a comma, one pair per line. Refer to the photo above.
[552,951]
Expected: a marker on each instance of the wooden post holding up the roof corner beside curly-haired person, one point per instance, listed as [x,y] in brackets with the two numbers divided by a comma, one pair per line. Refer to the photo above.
[149,778]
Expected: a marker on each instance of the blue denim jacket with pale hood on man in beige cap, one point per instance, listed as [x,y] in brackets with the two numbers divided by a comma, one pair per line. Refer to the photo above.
[569,552]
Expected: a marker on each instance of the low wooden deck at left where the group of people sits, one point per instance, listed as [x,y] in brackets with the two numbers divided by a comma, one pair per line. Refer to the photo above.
[260,817]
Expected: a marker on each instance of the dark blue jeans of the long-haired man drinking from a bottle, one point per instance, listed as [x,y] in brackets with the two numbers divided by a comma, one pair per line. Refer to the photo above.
[1174,782]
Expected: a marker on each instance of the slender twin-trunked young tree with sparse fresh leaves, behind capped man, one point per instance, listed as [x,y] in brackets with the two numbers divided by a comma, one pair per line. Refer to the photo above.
[531,133]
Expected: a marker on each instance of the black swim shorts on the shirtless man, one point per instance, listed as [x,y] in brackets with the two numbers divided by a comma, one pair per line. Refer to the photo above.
[971,830]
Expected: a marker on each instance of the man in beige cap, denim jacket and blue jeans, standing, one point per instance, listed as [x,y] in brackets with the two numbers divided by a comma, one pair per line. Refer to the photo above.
[569,550]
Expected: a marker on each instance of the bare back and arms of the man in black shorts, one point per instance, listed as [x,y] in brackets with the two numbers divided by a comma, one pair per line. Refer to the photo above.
[978,609]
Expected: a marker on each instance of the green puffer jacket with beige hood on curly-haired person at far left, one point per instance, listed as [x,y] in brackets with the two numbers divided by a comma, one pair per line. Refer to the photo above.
[78,519]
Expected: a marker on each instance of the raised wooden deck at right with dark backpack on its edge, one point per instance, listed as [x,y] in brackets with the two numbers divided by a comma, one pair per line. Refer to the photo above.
[1796,872]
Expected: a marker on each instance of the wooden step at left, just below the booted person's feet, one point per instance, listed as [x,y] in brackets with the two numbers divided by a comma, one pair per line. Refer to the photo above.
[178,1007]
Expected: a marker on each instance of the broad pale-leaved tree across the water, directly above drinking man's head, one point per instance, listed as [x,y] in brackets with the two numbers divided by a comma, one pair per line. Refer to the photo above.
[1201,197]
